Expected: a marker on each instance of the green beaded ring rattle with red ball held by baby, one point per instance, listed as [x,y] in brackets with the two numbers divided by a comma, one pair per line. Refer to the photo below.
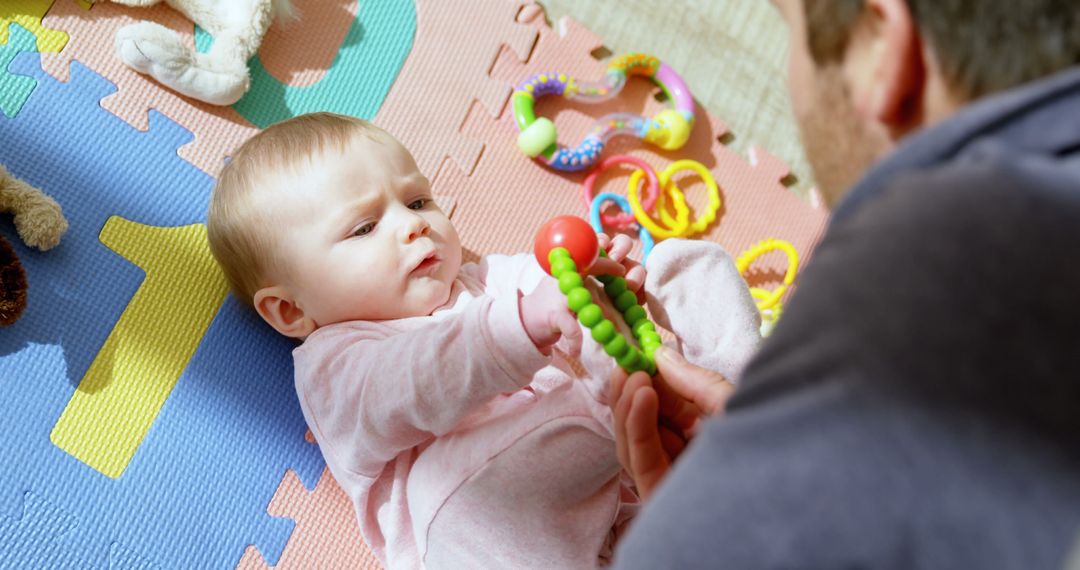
[561,247]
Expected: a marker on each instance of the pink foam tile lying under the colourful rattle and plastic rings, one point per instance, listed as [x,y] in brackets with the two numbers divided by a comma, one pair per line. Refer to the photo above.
[509,197]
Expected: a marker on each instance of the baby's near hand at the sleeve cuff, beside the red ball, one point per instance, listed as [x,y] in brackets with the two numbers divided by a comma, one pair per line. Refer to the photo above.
[546,317]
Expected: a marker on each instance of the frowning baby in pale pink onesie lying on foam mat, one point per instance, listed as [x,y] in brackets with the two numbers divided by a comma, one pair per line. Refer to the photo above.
[434,388]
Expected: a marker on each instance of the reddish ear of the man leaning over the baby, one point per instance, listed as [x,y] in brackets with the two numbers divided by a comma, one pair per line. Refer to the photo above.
[894,74]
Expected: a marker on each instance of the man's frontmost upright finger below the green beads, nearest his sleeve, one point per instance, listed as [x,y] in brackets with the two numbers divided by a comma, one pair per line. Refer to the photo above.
[649,463]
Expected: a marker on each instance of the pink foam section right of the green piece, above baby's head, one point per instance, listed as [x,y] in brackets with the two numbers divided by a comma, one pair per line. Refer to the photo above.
[457,42]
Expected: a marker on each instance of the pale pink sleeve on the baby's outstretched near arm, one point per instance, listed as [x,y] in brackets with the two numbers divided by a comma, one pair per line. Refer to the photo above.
[372,395]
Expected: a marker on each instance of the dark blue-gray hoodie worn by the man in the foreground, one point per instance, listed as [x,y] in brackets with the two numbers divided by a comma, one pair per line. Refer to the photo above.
[919,405]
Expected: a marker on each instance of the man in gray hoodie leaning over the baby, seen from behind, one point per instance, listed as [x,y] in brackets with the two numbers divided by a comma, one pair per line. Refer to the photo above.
[919,406]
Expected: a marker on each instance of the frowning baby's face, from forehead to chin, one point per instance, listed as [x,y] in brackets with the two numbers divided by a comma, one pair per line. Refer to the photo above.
[361,237]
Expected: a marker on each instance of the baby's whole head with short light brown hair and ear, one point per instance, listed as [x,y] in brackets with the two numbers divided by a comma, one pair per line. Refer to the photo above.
[326,219]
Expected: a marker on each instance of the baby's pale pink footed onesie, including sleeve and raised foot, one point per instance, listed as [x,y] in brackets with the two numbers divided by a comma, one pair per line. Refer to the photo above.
[463,446]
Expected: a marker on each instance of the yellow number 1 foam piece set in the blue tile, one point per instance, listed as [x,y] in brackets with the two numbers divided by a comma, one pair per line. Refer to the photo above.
[147,351]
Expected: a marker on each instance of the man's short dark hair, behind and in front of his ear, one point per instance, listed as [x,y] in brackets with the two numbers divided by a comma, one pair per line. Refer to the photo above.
[982,46]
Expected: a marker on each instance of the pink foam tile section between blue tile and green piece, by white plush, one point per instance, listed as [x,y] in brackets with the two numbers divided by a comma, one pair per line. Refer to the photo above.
[218,130]
